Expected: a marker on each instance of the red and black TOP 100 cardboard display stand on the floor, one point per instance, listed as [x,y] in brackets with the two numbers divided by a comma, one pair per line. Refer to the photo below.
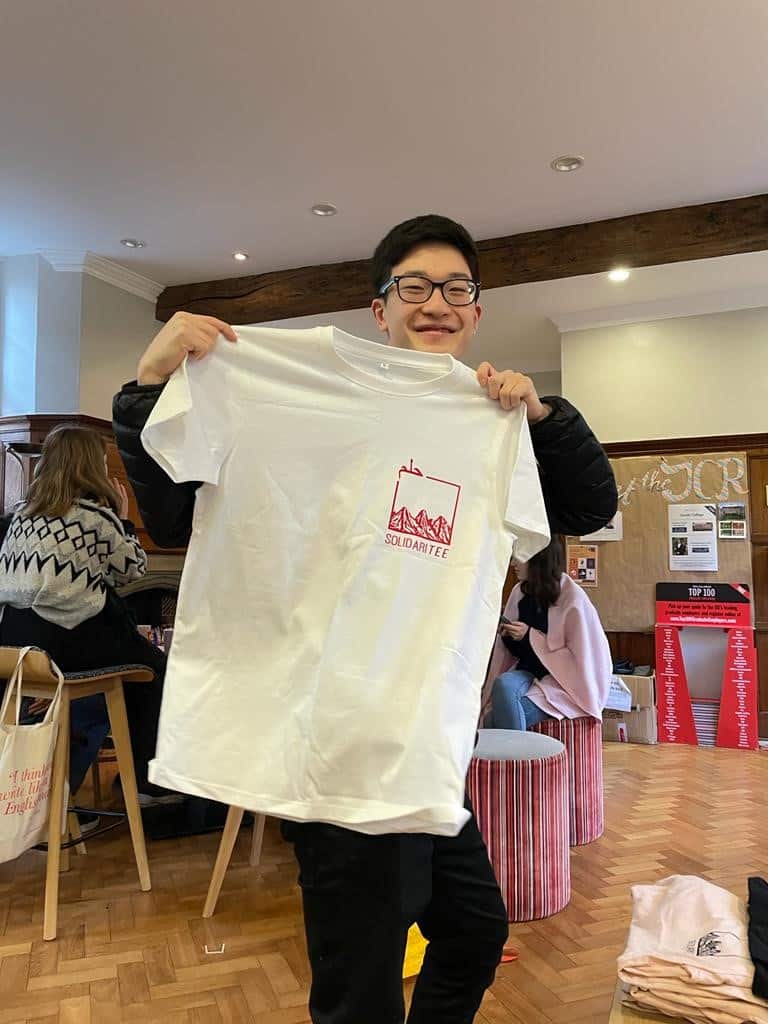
[722,607]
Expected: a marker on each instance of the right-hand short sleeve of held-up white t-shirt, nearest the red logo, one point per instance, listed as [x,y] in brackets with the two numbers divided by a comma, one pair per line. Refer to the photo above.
[525,514]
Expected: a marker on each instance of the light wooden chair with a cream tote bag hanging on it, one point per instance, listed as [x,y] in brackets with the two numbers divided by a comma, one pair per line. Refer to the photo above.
[39,682]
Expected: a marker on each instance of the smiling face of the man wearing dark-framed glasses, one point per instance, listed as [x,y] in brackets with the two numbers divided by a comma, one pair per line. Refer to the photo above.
[434,326]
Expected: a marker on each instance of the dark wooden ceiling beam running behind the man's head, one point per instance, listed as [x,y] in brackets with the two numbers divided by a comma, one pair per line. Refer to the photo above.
[738,226]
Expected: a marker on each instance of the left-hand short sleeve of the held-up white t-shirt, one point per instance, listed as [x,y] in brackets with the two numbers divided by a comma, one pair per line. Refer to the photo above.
[189,434]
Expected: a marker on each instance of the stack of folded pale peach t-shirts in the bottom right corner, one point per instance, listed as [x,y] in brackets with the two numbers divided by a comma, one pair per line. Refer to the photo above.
[688,955]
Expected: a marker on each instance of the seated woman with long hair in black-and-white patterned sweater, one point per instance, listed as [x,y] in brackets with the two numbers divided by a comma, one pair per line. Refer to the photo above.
[66,550]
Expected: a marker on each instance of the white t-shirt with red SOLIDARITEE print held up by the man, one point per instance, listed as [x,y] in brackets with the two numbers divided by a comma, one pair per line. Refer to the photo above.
[343,586]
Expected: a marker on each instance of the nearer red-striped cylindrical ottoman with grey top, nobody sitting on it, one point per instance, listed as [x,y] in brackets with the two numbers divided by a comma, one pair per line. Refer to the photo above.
[519,785]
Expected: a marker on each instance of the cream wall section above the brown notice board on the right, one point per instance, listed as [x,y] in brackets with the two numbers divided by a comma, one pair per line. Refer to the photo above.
[696,376]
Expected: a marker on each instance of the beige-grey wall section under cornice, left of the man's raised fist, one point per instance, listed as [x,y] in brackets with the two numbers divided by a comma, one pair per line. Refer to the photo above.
[116,329]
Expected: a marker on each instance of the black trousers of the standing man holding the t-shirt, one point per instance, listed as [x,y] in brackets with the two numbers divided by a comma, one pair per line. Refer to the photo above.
[361,895]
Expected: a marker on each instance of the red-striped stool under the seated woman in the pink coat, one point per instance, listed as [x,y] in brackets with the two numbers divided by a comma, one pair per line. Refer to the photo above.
[584,745]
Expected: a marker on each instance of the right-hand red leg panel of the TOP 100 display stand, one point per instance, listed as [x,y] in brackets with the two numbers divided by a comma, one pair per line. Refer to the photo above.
[738,726]
